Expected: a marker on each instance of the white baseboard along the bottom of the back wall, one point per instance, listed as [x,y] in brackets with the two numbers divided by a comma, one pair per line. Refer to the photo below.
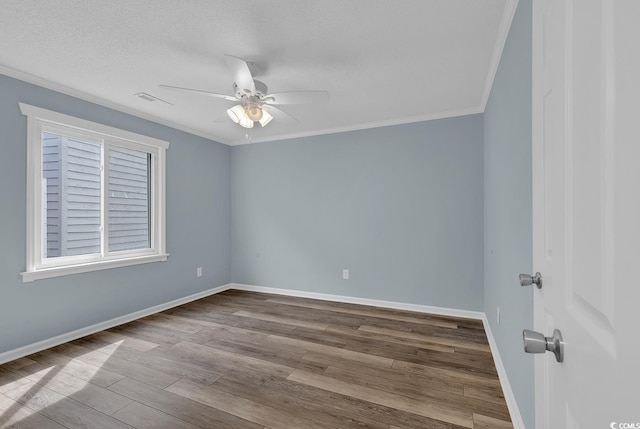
[479,315]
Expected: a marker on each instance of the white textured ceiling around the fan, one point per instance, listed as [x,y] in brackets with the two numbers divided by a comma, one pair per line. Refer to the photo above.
[382,61]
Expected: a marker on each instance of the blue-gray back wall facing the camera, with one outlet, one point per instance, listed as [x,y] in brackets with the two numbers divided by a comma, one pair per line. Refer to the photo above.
[401,207]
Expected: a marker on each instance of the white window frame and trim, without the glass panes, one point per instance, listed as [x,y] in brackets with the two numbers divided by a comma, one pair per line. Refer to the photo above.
[39,120]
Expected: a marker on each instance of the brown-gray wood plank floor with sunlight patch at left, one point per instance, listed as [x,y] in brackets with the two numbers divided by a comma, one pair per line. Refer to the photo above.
[251,360]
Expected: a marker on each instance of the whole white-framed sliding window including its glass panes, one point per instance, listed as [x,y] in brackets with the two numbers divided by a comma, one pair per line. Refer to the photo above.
[95,196]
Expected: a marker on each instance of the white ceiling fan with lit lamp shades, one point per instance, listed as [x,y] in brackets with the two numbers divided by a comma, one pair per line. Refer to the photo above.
[255,104]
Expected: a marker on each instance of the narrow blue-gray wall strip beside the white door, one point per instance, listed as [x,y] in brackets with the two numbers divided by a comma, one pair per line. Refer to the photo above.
[507,208]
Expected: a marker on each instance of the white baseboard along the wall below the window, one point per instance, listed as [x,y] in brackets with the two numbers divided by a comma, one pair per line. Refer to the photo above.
[82,332]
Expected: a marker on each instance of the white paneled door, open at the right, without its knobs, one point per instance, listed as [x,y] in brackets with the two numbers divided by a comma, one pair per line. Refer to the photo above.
[586,211]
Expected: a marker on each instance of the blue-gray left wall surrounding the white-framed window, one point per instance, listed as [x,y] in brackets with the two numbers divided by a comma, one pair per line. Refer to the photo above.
[198,228]
